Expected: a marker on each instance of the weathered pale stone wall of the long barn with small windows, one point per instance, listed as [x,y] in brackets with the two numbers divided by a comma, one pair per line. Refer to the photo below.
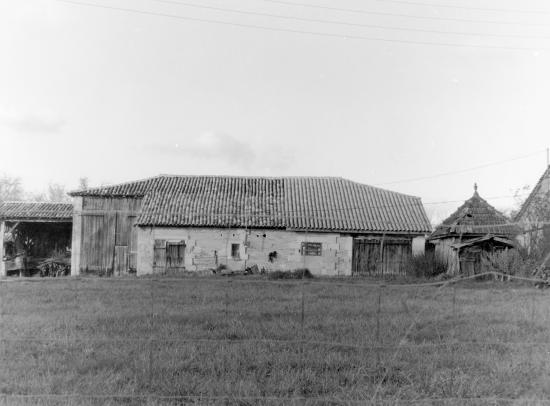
[206,248]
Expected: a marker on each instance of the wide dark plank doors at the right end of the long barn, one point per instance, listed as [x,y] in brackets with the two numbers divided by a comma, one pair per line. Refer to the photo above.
[383,256]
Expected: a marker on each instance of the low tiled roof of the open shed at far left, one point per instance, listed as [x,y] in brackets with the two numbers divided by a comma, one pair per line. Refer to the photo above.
[19,211]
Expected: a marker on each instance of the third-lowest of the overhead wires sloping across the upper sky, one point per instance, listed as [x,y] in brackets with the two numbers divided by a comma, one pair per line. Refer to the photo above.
[369,12]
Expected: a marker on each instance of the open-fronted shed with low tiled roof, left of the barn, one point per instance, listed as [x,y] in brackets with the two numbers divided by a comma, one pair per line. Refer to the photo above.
[32,232]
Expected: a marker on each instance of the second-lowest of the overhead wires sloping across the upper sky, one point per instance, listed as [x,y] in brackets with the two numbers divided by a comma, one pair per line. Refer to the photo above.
[346,23]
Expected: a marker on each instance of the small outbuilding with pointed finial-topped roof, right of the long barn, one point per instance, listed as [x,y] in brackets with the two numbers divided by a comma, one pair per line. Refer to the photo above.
[470,237]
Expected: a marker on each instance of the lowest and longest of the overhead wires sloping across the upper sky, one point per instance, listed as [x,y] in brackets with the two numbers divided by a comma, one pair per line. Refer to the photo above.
[295,31]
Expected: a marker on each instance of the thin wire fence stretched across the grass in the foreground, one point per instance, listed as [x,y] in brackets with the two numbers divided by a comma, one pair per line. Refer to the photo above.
[376,346]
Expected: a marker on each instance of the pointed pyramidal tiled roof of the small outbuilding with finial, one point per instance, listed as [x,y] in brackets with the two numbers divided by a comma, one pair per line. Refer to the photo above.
[475,217]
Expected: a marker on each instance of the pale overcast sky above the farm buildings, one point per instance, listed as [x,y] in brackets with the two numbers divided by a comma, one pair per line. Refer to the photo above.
[117,95]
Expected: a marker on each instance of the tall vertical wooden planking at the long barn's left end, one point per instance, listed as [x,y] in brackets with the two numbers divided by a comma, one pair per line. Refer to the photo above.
[109,243]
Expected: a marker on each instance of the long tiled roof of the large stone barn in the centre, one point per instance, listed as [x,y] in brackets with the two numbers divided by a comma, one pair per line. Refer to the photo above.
[299,203]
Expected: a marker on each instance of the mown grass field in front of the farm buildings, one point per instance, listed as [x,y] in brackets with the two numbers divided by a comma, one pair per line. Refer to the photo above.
[245,341]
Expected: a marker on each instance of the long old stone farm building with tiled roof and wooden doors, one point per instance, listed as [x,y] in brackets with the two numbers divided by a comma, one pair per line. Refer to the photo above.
[332,226]
